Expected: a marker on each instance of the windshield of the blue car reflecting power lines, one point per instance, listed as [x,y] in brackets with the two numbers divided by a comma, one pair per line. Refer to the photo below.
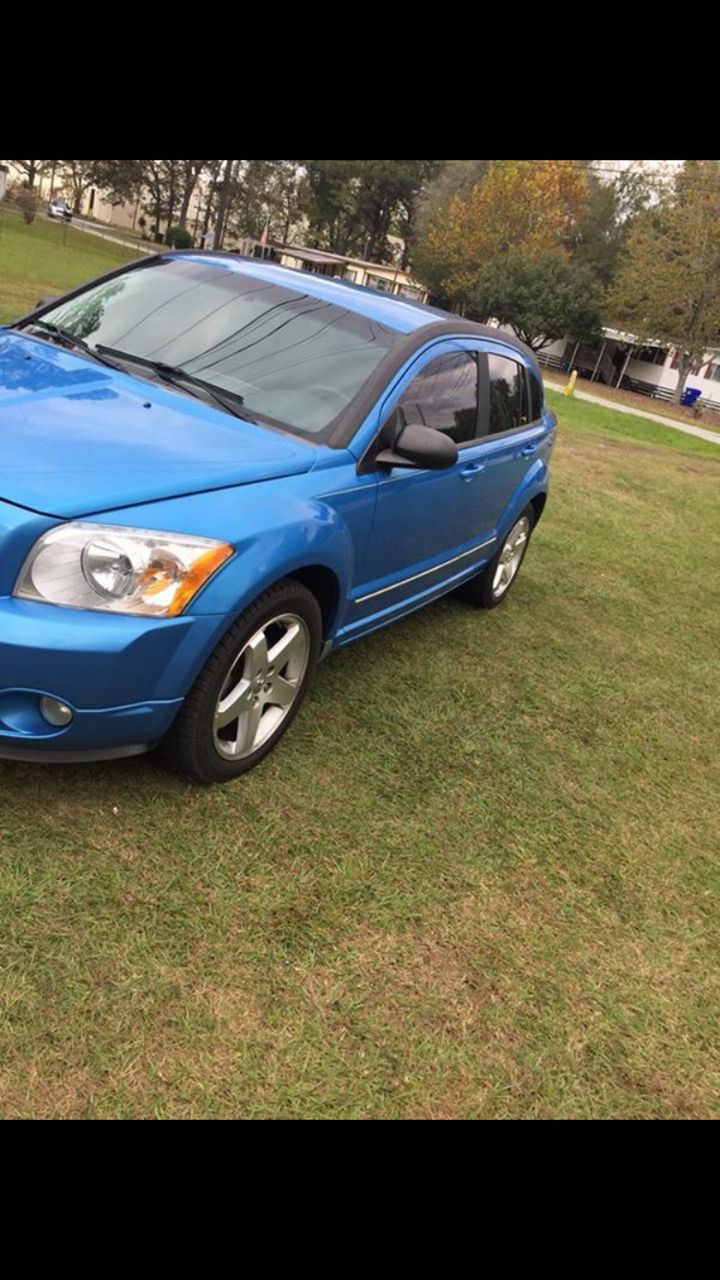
[290,358]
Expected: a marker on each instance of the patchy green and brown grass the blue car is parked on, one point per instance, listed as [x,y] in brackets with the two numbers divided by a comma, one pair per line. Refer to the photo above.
[479,879]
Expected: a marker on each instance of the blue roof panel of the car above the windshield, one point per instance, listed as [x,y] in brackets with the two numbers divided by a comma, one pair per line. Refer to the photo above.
[400,314]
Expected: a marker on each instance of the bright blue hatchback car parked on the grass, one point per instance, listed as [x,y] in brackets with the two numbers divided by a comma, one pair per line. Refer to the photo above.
[217,470]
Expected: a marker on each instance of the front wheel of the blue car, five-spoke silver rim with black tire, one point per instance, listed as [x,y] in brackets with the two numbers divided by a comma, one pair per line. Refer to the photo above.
[208,743]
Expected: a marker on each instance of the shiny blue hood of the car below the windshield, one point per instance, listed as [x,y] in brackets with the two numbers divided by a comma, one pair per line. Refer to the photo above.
[79,438]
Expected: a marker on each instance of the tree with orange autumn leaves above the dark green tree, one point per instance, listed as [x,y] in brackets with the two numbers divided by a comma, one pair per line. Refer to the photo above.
[521,207]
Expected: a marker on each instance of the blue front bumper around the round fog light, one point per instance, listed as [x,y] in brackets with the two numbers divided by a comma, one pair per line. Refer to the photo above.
[124,678]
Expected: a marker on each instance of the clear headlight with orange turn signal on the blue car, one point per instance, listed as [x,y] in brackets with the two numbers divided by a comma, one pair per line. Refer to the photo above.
[120,570]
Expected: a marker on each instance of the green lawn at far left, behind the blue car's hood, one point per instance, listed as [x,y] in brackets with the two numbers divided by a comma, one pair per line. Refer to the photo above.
[35,262]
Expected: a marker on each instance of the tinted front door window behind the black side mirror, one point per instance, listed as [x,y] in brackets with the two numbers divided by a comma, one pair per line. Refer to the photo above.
[444,396]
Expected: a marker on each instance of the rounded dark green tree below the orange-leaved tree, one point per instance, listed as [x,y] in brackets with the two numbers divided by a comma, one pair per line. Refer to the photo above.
[544,296]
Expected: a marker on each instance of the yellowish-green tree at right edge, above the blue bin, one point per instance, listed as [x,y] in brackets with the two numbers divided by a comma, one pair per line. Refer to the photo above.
[668,286]
